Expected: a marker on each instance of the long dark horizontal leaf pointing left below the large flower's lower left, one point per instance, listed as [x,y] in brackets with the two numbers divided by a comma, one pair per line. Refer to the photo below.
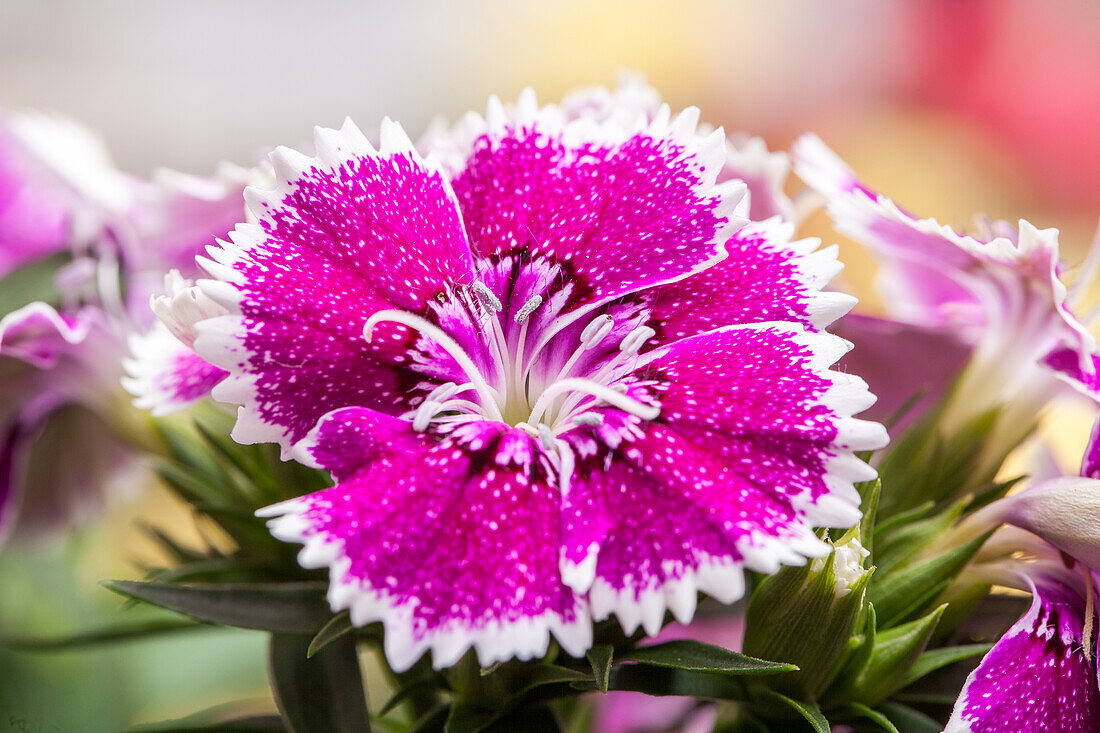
[285,608]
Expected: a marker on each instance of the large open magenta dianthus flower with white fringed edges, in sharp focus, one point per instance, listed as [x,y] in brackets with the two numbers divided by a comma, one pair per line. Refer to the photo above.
[554,374]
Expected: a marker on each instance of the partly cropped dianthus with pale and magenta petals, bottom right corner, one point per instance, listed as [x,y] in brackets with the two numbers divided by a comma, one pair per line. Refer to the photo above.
[1042,674]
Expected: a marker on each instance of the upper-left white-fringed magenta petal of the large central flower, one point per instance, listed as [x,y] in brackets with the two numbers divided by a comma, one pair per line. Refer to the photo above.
[347,235]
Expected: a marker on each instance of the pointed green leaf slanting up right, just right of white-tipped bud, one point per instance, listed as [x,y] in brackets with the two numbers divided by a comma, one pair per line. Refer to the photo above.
[908,590]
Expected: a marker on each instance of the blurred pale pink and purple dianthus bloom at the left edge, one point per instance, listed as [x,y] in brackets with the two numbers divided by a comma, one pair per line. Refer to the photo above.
[105,237]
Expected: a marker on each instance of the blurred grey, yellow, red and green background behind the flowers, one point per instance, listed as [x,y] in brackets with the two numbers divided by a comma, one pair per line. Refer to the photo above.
[952,107]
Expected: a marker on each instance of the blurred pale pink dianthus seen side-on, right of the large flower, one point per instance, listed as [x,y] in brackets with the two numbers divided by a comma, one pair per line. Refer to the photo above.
[997,292]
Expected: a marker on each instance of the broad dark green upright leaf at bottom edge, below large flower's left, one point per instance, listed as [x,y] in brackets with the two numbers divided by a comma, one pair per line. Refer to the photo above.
[320,695]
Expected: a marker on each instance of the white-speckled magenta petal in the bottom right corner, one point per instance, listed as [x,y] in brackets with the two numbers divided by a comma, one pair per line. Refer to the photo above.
[1037,677]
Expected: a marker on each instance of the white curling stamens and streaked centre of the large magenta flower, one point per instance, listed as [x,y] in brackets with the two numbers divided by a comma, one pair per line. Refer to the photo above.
[503,349]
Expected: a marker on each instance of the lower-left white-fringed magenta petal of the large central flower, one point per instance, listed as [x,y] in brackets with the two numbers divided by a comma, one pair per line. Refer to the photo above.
[448,550]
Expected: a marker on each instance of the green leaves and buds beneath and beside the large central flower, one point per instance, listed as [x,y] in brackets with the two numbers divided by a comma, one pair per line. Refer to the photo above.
[865,650]
